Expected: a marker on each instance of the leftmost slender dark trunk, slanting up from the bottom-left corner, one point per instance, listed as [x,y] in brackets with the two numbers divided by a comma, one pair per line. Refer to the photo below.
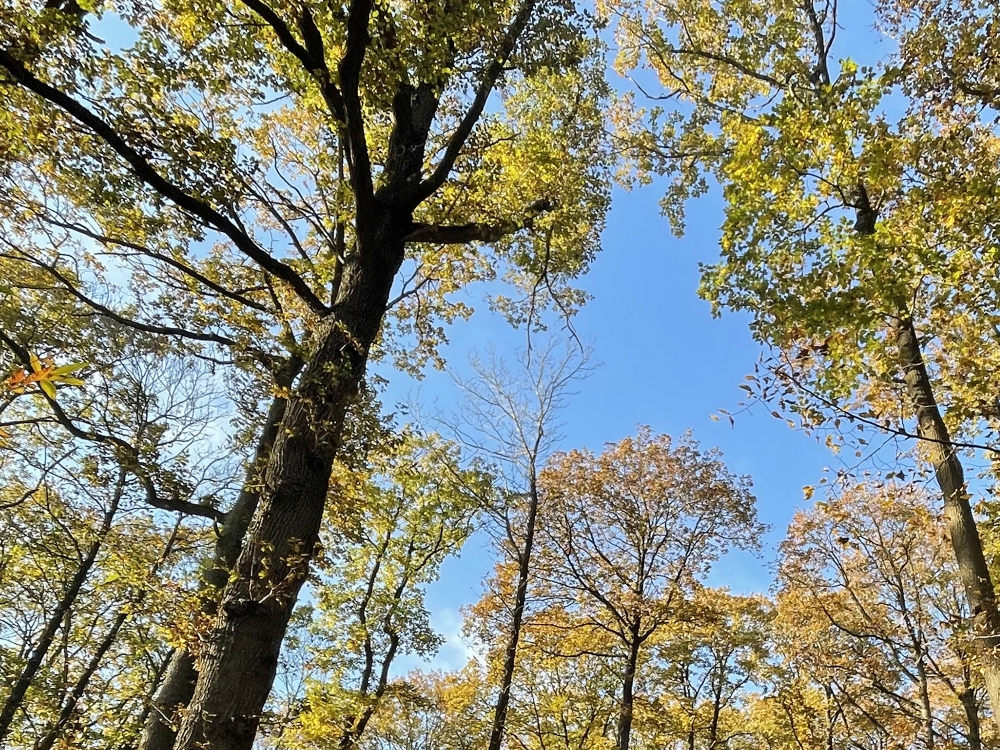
[34,663]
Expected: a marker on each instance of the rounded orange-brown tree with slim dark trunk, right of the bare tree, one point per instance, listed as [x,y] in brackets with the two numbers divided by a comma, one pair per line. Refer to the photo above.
[627,537]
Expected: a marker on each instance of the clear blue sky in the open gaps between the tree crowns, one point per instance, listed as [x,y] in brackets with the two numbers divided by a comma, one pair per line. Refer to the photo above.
[666,362]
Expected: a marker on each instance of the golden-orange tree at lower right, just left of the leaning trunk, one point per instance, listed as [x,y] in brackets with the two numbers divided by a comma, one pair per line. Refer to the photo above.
[870,603]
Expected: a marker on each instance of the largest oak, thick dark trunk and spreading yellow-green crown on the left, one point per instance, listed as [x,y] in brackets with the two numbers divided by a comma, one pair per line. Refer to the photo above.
[253,182]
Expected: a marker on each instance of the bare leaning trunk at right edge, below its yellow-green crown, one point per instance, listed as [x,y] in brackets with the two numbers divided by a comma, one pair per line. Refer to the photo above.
[975,574]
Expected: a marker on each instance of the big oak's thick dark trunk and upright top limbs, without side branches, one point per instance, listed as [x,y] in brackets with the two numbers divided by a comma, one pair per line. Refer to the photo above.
[239,661]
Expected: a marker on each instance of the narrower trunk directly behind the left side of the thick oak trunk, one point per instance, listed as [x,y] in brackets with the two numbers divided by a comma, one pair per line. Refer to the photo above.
[175,693]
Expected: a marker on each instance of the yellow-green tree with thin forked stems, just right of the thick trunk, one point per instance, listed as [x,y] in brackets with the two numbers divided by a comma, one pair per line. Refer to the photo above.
[390,528]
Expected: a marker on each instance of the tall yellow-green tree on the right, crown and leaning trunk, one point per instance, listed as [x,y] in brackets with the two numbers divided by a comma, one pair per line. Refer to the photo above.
[858,230]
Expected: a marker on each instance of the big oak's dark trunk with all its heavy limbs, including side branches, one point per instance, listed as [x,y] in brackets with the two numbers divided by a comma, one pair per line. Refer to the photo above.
[239,660]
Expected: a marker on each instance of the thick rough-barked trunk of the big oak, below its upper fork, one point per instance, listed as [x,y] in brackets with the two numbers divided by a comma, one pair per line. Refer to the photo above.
[240,658]
